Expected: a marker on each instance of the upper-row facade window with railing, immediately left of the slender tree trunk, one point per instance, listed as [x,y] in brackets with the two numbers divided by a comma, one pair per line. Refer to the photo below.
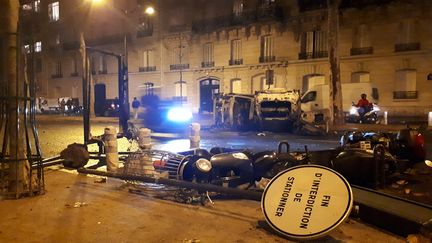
[313,44]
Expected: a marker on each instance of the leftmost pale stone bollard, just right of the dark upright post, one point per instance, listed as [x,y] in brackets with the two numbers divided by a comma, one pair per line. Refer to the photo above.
[110,145]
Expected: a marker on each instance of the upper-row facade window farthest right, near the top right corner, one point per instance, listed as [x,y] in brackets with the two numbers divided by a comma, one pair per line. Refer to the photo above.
[407,37]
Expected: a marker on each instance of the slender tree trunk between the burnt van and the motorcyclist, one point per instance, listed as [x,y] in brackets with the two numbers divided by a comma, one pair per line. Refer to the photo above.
[336,112]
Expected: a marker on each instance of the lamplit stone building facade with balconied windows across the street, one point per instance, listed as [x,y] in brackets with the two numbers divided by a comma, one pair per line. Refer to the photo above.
[191,49]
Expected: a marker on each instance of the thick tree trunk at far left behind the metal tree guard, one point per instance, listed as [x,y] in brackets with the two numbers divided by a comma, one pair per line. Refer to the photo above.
[19,166]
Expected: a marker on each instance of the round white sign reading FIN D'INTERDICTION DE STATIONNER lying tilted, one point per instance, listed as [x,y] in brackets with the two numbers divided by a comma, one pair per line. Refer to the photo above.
[306,202]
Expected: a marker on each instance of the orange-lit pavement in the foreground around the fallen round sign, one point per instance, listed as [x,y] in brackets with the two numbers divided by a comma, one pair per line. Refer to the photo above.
[76,209]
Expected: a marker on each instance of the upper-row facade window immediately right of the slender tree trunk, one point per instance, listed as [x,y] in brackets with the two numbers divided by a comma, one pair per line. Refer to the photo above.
[361,41]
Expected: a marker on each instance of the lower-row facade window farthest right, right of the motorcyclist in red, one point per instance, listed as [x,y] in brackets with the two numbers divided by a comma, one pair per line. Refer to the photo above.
[405,84]
